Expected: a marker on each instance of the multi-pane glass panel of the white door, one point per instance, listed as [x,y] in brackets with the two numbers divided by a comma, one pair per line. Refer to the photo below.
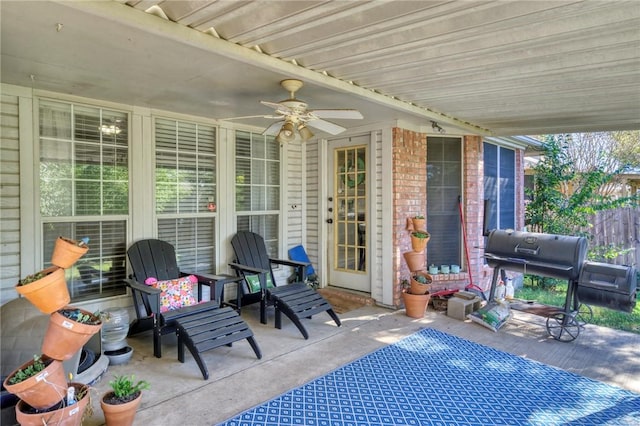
[350,215]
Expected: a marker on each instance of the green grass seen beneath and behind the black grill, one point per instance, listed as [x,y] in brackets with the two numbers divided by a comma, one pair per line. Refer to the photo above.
[601,316]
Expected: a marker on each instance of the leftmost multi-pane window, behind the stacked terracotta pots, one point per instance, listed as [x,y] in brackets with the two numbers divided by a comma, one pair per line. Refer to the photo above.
[84,191]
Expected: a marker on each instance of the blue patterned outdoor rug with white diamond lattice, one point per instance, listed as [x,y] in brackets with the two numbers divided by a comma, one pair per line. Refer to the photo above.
[433,378]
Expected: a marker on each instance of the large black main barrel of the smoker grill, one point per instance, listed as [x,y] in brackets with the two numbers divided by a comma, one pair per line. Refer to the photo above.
[550,255]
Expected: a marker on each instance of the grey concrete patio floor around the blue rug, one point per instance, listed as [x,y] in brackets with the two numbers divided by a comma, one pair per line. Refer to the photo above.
[238,381]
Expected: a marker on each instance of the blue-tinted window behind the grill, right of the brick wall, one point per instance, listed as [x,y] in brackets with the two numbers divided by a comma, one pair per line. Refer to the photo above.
[499,186]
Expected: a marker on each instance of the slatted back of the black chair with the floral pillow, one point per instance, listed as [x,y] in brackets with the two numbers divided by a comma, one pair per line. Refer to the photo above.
[153,258]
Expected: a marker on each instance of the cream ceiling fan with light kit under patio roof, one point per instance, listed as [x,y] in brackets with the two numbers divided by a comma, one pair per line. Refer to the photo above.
[292,115]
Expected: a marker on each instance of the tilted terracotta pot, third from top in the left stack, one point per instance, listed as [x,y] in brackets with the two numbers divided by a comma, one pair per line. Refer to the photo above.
[65,336]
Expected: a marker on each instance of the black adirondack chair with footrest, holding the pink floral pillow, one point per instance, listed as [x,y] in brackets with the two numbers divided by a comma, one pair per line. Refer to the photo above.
[201,326]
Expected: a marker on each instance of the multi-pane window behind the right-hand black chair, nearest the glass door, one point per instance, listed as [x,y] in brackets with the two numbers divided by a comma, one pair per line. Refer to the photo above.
[258,187]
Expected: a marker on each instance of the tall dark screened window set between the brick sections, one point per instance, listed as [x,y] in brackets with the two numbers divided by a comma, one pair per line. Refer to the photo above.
[444,186]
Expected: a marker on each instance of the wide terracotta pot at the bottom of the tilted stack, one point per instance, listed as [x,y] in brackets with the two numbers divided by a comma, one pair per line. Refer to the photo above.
[70,415]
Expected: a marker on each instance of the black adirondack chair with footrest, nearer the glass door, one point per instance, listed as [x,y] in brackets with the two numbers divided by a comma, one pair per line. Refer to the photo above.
[296,300]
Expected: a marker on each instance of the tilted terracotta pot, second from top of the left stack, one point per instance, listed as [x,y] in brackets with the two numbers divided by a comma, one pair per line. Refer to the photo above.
[49,293]
